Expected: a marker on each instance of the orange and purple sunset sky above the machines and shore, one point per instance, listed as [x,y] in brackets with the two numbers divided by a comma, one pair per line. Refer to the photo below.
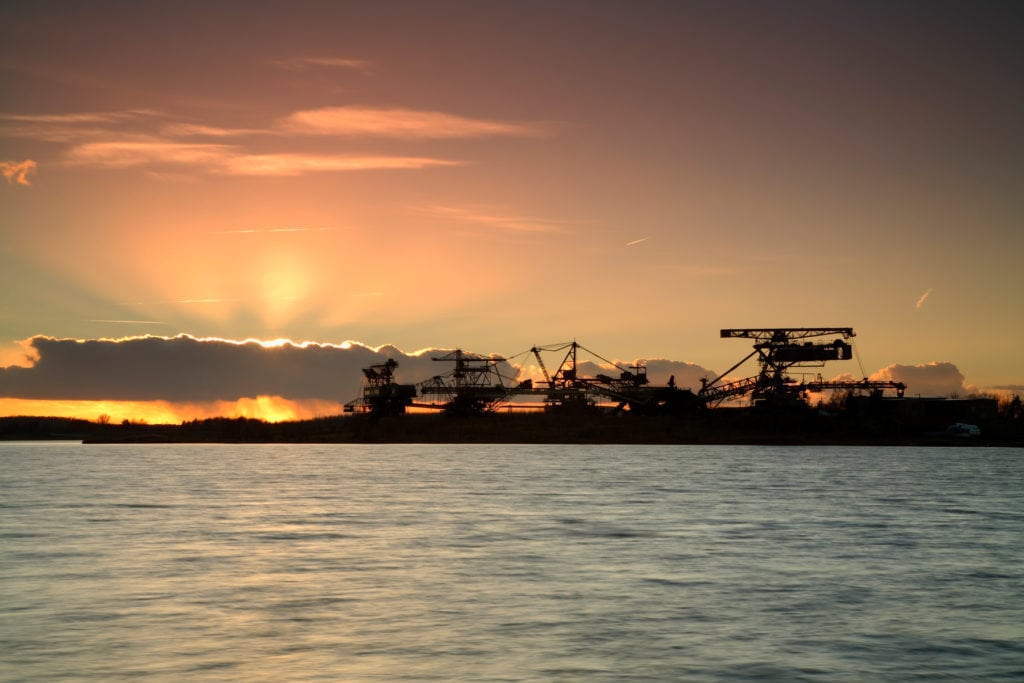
[635,176]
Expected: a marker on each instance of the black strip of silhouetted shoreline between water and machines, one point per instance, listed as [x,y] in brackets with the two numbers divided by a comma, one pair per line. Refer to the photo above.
[908,422]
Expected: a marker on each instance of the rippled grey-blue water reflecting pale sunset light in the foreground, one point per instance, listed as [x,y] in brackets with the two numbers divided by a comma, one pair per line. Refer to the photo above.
[510,564]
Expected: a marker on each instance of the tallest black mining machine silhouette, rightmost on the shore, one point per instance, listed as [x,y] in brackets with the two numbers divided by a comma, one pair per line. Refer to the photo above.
[779,352]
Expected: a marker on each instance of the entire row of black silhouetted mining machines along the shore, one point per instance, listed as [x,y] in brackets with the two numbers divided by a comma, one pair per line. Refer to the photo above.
[481,385]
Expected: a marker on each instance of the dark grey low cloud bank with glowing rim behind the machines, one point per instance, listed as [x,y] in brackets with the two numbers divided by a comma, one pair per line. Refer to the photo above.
[187,369]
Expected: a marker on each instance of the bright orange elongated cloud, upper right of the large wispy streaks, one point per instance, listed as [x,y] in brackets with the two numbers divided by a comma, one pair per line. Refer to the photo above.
[400,123]
